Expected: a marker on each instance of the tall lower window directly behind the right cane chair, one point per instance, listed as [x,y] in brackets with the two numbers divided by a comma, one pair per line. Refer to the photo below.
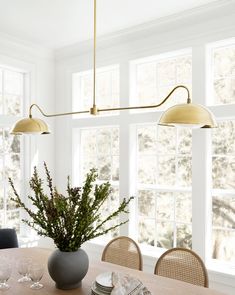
[164,186]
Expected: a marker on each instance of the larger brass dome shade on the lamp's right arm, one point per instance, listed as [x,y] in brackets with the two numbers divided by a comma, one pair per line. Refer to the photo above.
[189,115]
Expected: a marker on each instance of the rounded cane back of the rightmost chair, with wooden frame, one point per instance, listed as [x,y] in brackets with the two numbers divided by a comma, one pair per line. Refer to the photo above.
[184,265]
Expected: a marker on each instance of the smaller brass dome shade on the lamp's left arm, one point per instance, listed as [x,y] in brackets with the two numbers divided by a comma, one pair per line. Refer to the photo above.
[30,126]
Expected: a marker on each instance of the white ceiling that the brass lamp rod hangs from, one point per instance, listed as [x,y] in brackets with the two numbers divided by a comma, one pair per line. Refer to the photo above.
[58,23]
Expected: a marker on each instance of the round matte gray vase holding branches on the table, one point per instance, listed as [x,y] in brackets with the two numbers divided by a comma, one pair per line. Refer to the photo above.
[68,269]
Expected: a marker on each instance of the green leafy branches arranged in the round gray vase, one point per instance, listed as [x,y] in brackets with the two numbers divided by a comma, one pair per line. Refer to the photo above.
[73,219]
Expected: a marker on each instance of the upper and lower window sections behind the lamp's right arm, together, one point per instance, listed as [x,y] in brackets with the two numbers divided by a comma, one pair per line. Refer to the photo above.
[163,155]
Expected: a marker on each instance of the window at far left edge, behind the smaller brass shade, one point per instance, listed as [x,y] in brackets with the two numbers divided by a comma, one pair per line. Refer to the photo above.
[11,99]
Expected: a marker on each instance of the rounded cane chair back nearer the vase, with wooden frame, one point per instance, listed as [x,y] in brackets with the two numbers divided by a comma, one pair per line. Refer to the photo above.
[123,251]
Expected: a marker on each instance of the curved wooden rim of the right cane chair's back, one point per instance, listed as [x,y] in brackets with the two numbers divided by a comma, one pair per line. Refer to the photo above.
[157,266]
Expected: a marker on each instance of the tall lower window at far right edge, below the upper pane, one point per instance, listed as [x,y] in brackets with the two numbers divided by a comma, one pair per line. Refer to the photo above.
[223,199]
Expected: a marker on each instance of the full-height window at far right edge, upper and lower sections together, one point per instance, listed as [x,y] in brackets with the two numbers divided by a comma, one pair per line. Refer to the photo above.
[223,152]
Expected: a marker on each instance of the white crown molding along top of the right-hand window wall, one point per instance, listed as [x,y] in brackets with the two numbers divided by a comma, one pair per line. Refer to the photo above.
[205,13]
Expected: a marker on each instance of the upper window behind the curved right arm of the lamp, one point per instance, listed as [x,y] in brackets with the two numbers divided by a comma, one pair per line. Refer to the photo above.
[156,78]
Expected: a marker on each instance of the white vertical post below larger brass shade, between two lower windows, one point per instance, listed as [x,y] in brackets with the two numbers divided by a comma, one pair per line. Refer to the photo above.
[201,193]
